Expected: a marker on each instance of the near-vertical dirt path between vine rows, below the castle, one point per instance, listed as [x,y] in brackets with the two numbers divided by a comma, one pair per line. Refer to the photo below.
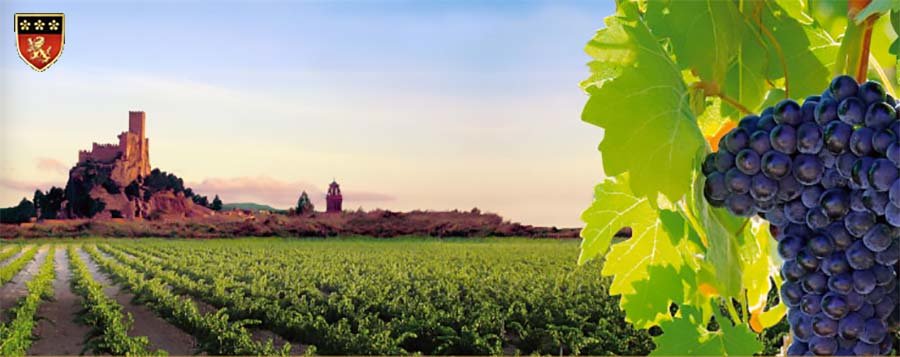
[57,331]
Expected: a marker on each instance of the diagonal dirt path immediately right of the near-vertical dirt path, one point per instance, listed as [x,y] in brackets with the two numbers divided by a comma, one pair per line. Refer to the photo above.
[161,333]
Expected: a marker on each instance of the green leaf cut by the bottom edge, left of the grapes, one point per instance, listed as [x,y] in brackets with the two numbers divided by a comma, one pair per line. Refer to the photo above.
[687,335]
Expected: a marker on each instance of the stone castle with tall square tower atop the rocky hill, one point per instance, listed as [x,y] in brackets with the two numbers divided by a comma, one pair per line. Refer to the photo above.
[132,152]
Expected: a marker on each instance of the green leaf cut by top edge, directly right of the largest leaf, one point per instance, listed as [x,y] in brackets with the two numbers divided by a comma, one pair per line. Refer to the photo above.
[704,33]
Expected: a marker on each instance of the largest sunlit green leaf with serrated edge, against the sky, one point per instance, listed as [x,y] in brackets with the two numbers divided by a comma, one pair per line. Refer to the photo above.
[644,109]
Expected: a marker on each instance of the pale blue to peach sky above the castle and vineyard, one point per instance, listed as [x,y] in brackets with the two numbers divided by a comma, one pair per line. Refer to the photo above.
[425,104]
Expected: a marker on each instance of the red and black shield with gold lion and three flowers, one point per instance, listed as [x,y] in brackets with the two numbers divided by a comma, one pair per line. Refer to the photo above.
[40,38]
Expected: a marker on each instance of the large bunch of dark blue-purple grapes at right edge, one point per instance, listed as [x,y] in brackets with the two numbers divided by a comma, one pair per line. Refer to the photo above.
[825,175]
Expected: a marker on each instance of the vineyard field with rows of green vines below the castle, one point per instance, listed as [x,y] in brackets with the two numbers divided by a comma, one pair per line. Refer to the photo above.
[324,296]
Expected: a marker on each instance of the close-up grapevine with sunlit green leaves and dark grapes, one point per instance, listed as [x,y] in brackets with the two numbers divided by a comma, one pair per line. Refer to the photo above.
[705,191]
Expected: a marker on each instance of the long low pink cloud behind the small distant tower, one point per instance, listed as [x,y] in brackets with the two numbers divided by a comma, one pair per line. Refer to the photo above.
[274,192]
